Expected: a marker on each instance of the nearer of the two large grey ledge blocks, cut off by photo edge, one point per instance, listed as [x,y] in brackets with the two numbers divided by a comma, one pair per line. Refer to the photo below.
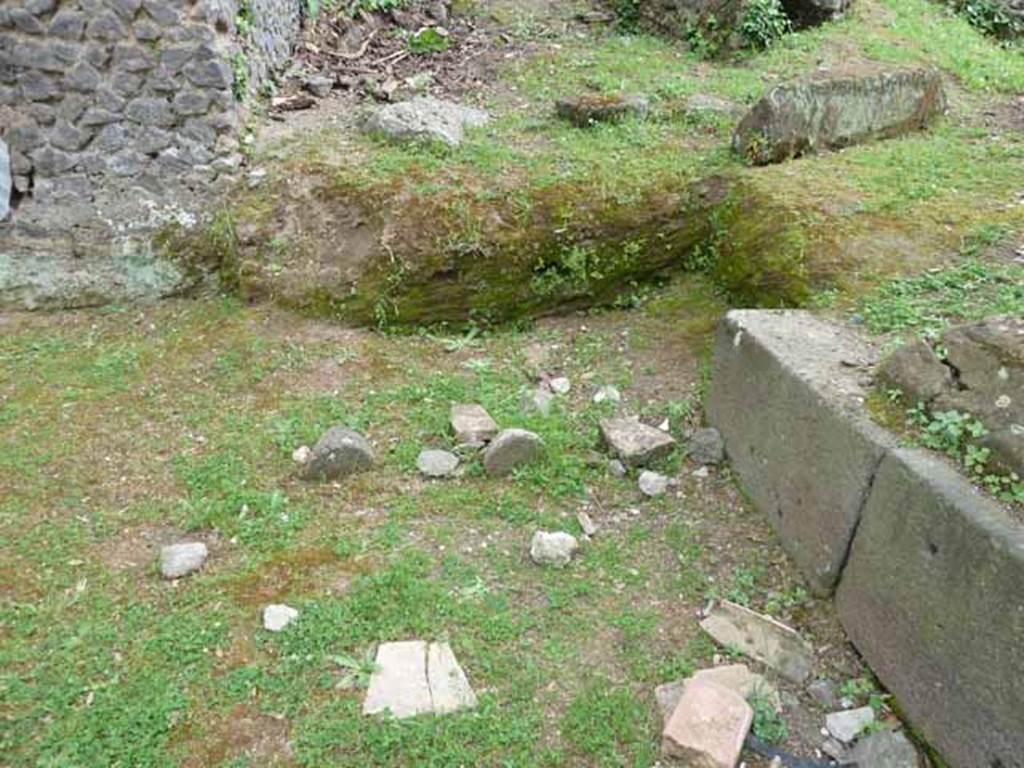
[933,598]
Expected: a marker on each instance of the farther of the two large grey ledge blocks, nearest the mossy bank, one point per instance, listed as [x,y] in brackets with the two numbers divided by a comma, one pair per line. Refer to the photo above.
[790,411]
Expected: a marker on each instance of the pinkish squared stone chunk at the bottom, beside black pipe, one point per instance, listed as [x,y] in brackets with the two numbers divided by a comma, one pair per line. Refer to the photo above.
[708,727]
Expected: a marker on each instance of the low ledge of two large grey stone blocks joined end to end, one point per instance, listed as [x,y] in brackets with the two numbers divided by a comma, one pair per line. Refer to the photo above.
[931,579]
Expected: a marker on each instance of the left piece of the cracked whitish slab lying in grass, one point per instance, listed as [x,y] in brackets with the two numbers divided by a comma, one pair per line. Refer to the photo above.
[400,684]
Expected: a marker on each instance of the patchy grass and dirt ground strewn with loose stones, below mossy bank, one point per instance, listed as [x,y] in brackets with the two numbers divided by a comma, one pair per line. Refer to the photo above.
[206,402]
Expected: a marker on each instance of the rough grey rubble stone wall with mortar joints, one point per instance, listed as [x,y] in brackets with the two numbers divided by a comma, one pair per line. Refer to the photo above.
[121,116]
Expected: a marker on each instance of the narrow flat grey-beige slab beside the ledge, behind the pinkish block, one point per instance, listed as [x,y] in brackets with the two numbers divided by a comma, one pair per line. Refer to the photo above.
[762,638]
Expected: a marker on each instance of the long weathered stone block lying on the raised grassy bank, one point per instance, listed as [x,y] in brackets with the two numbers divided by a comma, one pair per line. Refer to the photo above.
[838,110]
